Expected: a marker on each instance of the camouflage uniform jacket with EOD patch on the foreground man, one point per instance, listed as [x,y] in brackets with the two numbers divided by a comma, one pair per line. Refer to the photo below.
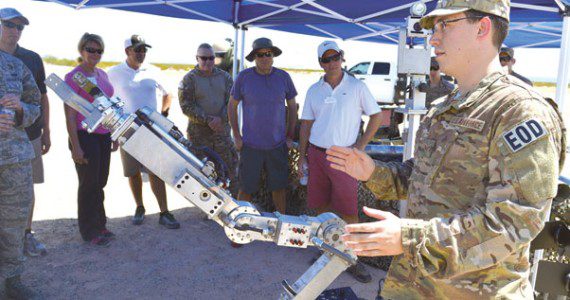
[478,193]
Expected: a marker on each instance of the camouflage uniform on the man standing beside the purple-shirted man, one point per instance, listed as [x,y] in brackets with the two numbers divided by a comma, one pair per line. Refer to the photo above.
[193,102]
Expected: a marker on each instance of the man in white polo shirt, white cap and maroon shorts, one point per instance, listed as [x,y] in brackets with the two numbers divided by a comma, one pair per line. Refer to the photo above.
[331,116]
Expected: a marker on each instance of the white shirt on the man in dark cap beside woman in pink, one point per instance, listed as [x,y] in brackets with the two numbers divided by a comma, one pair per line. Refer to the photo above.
[137,88]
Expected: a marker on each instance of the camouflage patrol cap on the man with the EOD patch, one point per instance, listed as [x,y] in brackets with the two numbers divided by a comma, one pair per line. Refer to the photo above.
[499,8]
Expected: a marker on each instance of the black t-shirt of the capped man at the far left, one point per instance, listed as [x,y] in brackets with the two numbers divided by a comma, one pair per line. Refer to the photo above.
[34,62]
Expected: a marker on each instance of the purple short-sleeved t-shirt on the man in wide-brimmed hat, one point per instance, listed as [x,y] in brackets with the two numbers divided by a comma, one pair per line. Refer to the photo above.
[263,100]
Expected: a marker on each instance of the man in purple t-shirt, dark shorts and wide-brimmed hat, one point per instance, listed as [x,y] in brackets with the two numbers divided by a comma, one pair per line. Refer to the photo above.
[268,124]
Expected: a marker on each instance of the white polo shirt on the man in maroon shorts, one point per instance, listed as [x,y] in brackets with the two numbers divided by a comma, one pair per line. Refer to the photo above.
[337,113]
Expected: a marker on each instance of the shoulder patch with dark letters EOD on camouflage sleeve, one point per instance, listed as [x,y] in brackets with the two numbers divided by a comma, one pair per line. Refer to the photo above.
[524,134]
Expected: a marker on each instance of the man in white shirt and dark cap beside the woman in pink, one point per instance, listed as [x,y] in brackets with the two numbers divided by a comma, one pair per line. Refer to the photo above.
[135,83]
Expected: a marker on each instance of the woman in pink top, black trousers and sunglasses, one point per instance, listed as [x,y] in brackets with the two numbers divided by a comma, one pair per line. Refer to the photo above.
[91,152]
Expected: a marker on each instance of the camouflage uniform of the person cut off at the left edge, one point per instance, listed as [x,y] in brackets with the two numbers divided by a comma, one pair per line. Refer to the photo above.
[16,152]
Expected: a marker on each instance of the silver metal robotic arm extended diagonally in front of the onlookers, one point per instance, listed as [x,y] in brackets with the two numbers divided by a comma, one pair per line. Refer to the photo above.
[203,183]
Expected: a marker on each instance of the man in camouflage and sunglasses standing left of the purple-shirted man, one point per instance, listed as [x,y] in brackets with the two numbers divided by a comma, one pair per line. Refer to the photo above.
[204,93]
